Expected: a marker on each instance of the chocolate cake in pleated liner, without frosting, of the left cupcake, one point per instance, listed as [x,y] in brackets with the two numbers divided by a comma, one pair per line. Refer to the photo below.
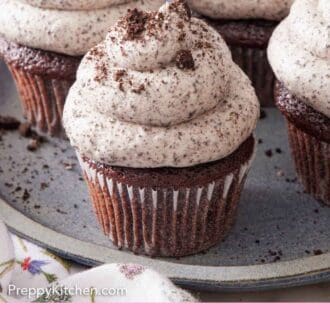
[43,80]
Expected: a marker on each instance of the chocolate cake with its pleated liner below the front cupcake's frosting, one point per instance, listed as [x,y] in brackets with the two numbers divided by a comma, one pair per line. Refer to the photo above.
[168,211]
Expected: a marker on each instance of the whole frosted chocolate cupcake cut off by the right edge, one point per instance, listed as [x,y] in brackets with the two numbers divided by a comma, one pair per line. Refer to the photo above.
[299,53]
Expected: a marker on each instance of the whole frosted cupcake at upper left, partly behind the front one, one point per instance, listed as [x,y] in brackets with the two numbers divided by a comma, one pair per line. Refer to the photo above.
[42,43]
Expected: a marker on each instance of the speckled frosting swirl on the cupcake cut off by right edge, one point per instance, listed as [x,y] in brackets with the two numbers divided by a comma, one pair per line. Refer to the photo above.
[299,52]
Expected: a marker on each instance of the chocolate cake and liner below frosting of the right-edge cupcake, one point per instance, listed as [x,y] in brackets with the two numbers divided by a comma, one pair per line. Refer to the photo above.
[309,136]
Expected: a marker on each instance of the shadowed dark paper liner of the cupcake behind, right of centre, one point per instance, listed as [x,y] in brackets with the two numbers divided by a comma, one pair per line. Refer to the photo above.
[254,62]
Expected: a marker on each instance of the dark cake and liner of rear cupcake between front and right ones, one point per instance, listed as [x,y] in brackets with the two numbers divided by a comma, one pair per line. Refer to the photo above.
[248,41]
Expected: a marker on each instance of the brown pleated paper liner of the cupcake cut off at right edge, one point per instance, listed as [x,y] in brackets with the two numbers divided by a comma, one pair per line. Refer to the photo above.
[312,162]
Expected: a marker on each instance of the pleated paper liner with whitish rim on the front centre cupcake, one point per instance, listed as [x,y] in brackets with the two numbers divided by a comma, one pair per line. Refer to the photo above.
[162,221]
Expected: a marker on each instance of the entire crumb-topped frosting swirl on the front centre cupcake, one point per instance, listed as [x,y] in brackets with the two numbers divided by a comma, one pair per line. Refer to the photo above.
[161,90]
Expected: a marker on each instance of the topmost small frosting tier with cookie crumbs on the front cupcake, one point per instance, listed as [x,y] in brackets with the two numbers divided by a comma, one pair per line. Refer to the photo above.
[149,40]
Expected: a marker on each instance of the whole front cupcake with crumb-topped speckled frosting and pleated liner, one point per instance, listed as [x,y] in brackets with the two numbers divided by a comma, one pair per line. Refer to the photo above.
[162,121]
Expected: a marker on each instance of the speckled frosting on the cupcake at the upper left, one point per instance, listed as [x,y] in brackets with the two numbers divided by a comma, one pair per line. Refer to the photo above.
[63,26]
